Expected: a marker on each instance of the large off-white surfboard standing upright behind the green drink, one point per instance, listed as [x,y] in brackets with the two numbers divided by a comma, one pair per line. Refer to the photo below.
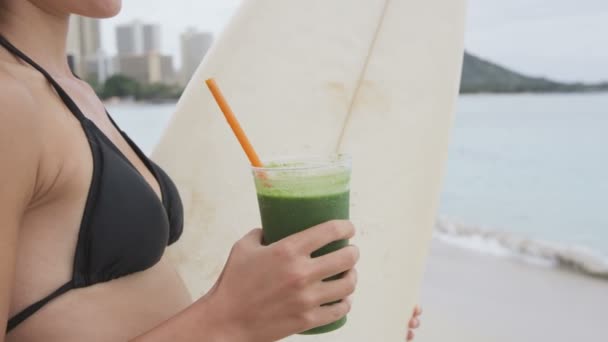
[377,79]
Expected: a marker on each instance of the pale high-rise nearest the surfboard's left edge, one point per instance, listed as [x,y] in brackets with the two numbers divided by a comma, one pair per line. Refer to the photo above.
[194,46]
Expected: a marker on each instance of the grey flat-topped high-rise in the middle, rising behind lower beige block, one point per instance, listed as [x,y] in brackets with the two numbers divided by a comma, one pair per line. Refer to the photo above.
[138,38]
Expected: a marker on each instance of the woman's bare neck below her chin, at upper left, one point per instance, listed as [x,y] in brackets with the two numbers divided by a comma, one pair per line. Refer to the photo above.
[38,32]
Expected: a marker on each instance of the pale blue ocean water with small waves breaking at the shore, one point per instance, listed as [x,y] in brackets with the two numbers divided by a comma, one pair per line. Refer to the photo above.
[527,175]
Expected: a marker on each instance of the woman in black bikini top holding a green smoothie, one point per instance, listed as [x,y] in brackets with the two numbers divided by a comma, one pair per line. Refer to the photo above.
[85,218]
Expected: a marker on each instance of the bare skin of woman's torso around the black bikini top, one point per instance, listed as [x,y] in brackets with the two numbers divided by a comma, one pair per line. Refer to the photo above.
[113,311]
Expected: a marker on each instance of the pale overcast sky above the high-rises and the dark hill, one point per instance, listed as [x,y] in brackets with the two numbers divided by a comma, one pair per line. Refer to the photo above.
[566,40]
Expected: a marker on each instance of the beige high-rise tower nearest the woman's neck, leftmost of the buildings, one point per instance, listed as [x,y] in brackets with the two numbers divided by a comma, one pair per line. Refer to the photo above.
[85,55]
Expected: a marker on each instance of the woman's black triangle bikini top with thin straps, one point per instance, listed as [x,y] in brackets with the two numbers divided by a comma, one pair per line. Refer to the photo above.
[125,226]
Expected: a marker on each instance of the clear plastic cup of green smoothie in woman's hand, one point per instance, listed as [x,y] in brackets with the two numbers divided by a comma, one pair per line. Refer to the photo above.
[296,196]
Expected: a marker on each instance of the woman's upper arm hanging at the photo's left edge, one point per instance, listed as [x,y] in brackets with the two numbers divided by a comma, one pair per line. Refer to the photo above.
[19,156]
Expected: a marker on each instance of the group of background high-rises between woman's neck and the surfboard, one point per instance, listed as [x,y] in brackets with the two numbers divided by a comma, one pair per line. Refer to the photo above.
[137,55]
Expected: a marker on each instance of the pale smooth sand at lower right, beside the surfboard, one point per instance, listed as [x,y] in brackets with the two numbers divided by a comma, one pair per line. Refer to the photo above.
[472,297]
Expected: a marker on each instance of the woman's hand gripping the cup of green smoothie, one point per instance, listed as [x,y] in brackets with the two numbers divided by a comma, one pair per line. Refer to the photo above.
[266,293]
